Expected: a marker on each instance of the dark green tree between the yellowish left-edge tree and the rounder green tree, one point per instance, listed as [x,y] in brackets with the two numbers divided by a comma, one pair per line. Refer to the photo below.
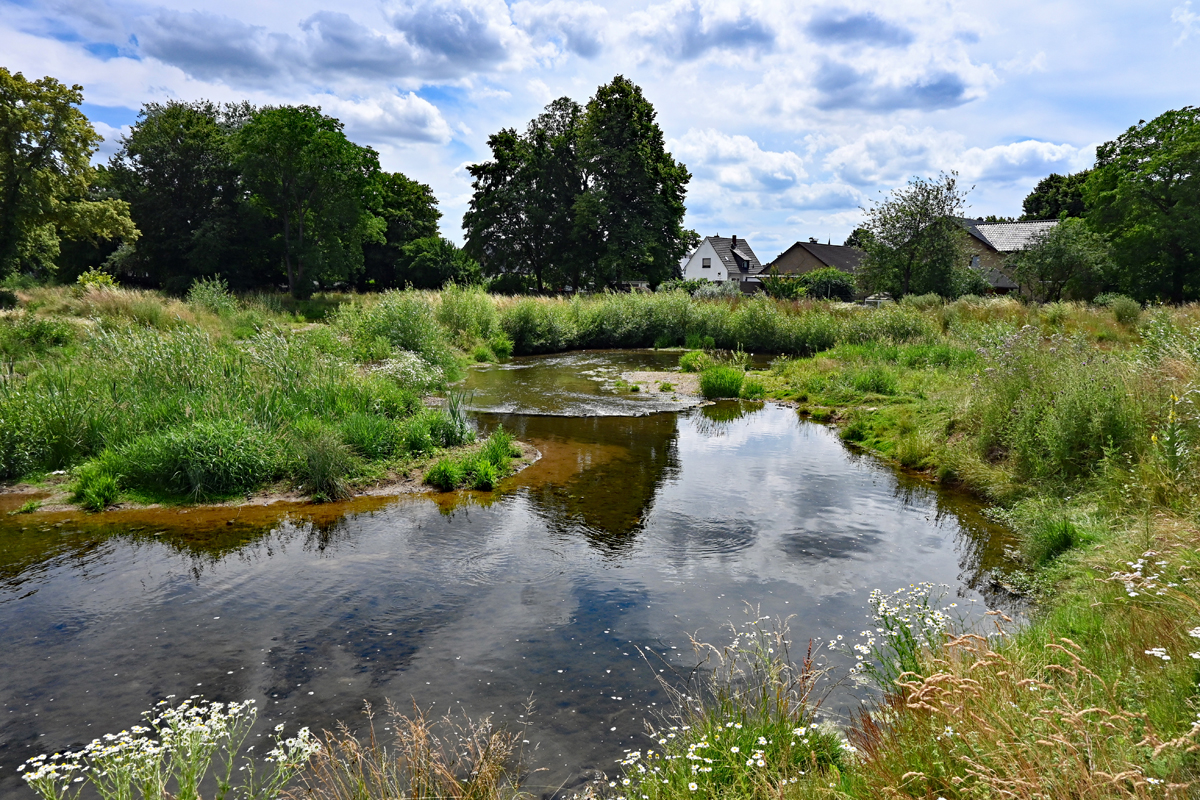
[177,170]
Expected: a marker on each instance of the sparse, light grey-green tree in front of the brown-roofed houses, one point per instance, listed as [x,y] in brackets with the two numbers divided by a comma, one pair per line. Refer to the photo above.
[916,244]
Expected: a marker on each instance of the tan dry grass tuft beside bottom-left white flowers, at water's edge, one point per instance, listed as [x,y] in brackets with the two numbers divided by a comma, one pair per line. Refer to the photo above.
[445,760]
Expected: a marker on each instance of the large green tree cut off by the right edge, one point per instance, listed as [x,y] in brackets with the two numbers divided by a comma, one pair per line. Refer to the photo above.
[1145,195]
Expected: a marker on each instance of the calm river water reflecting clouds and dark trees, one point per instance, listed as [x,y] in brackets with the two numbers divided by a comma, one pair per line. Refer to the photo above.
[638,528]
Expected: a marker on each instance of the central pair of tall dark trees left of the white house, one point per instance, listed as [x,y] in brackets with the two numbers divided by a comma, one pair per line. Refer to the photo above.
[586,197]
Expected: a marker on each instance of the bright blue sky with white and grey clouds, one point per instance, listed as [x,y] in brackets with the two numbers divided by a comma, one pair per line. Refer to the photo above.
[791,117]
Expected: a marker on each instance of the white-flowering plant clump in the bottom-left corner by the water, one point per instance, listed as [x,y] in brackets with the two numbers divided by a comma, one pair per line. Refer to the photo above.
[171,756]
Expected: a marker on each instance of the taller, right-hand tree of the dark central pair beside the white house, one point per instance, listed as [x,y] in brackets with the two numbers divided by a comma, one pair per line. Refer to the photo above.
[634,207]
